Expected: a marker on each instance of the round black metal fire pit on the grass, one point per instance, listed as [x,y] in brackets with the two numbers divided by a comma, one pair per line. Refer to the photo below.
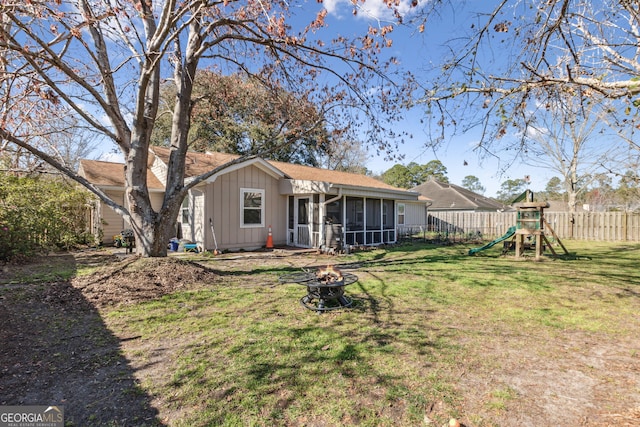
[325,288]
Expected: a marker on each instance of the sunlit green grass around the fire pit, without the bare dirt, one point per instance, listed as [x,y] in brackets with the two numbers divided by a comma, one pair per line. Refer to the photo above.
[244,352]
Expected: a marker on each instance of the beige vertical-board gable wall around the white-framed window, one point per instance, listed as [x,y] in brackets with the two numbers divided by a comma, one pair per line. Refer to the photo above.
[223,207]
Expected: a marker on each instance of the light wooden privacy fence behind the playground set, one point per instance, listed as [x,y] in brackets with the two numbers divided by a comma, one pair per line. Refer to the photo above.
[603,226]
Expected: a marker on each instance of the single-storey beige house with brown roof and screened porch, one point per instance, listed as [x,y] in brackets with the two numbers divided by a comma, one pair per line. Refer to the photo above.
[302,206]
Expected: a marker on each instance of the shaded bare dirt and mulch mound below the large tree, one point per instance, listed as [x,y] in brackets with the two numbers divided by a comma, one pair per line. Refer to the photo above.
[57,350]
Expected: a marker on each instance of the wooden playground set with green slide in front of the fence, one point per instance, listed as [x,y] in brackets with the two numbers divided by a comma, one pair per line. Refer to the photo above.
[530,223]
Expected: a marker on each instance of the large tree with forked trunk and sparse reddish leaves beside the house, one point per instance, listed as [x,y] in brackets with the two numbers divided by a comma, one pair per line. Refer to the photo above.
[105,62]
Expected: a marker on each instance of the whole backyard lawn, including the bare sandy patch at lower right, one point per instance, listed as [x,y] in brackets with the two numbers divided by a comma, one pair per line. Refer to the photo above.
[434,334]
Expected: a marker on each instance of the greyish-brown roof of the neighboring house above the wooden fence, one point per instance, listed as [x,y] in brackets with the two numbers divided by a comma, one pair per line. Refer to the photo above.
[447,196]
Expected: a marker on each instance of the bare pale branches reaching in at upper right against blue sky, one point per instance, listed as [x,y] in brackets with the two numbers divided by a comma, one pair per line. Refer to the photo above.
[499,73]
